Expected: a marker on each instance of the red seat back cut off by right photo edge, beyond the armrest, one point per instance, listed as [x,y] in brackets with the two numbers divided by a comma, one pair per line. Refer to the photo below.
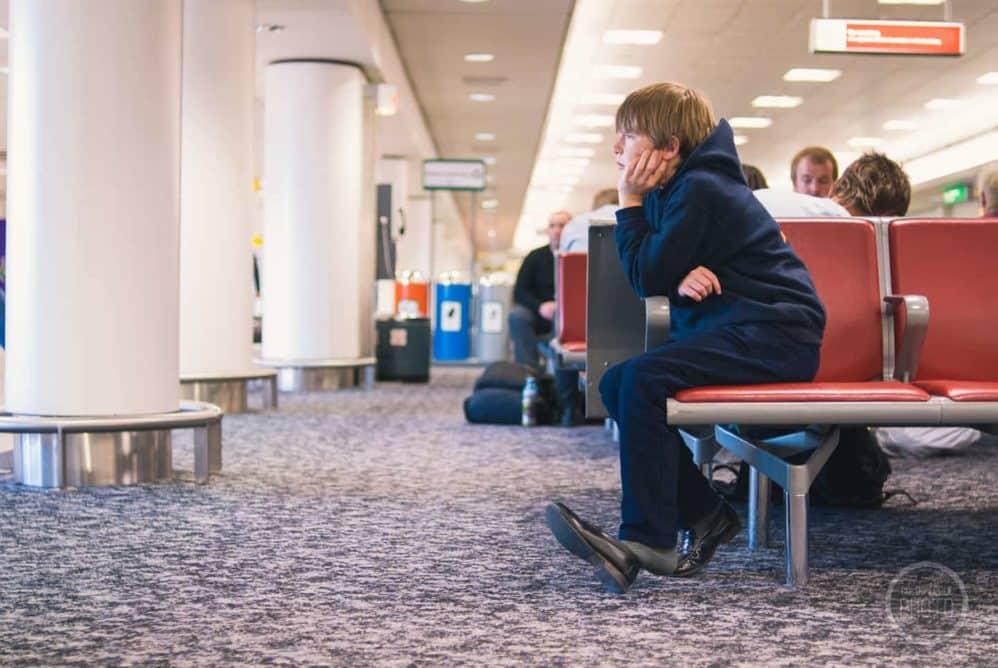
[951,262]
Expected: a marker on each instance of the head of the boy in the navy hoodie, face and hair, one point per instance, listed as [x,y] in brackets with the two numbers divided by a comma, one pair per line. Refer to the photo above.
[666,117]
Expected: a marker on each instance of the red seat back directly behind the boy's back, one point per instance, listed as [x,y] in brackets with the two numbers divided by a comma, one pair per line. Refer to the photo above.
[841,256]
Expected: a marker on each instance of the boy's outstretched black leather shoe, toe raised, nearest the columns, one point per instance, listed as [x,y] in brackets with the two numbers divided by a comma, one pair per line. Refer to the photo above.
[616,566]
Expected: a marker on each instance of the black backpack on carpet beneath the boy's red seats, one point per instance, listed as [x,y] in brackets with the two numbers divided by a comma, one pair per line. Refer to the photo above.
[853,476]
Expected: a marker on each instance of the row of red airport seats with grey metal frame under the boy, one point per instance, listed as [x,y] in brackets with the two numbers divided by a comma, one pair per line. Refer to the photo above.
[884,361]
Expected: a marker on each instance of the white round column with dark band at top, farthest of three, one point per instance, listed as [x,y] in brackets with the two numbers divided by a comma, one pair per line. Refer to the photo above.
[318,231]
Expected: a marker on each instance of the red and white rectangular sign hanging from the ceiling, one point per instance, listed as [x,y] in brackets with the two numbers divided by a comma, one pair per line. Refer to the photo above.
[904,38]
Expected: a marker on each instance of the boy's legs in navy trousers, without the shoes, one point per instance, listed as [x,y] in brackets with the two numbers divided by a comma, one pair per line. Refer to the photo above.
[655,469]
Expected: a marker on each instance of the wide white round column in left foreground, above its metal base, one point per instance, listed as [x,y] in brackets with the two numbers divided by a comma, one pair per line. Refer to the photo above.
[93,196]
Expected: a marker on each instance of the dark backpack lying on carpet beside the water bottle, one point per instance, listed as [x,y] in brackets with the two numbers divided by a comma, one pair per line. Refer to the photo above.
[498,396]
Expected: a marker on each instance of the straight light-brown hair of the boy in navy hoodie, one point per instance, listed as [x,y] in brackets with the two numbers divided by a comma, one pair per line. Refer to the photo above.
[665,110]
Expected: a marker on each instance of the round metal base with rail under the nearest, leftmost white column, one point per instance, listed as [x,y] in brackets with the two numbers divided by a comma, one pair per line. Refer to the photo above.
[88,451]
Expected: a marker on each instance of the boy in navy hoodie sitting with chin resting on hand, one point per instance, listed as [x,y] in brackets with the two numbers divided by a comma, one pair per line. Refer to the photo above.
[688,225]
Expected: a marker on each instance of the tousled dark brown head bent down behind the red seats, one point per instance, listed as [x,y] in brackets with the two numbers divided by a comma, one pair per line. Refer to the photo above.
[873,185]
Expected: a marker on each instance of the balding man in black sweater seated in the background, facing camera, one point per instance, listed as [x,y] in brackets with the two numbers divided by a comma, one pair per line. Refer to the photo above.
[533,296]
